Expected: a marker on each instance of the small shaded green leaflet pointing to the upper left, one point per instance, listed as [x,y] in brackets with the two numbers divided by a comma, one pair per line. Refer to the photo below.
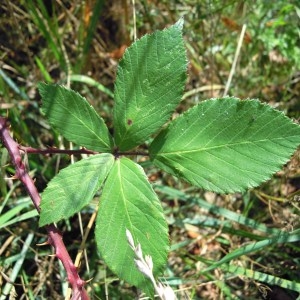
[75,118]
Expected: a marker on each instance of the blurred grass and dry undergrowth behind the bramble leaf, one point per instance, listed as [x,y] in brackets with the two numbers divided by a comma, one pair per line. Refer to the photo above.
[79,43]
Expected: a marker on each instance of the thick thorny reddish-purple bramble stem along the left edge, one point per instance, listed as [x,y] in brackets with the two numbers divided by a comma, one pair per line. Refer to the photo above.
[54,236]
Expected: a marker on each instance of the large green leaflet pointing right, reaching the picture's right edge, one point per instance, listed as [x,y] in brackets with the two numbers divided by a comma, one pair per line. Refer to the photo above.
[226,145]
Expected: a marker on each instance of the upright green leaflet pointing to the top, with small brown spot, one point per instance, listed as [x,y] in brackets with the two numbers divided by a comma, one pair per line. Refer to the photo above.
[149,85]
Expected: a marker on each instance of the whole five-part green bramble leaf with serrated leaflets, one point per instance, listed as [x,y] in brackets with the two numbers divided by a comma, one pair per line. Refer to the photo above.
[223,145]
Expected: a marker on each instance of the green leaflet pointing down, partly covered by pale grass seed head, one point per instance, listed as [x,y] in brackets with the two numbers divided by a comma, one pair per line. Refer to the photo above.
[129,202]
